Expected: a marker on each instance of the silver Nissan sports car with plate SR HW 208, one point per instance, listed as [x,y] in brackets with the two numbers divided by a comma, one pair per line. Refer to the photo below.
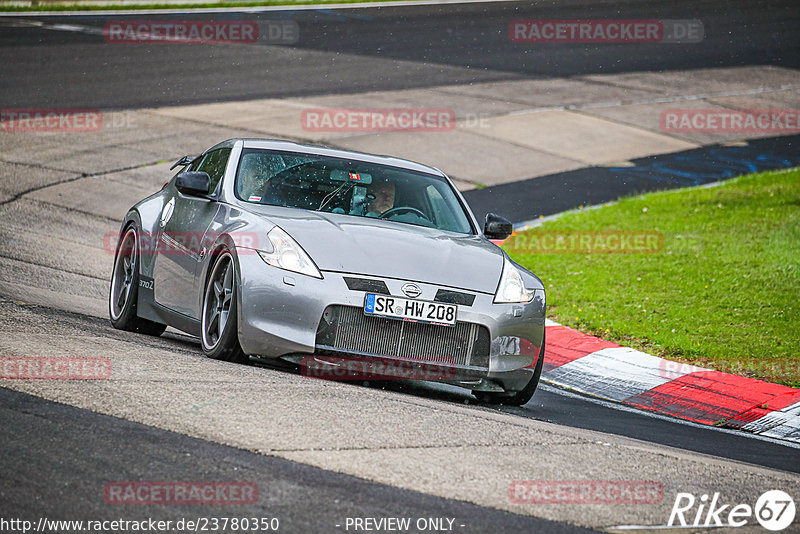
[346,264]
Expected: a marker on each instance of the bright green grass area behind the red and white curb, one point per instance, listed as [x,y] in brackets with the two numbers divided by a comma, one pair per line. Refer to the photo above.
[722,293]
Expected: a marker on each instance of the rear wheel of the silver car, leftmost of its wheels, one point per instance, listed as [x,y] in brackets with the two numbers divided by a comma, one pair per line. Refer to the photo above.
[124,290]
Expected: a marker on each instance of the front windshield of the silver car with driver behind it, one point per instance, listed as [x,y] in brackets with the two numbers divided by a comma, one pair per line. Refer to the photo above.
[349,187]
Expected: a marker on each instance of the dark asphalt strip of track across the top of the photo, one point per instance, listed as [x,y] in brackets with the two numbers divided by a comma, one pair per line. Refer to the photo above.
[348,51]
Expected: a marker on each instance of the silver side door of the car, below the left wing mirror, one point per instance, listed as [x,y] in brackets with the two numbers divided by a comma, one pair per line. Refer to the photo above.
[183,225]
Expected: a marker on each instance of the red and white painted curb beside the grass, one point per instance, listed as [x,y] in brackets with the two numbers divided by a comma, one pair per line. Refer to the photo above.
[603,369]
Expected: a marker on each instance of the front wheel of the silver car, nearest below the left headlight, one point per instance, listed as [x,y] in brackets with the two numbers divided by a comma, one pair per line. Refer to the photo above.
[218,336]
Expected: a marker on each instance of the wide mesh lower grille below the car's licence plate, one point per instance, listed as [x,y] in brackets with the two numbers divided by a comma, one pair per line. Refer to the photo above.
[347,329]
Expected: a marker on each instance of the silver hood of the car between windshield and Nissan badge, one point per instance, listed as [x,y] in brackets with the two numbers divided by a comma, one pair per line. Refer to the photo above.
[379,248]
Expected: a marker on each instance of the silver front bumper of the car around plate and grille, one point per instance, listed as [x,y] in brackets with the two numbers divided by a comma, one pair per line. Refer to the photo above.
[280,314]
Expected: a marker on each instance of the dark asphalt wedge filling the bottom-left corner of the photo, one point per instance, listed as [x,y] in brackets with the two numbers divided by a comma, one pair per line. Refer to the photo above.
[303,498]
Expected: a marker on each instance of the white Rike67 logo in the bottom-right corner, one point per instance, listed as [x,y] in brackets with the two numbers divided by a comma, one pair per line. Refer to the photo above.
[774,510]
